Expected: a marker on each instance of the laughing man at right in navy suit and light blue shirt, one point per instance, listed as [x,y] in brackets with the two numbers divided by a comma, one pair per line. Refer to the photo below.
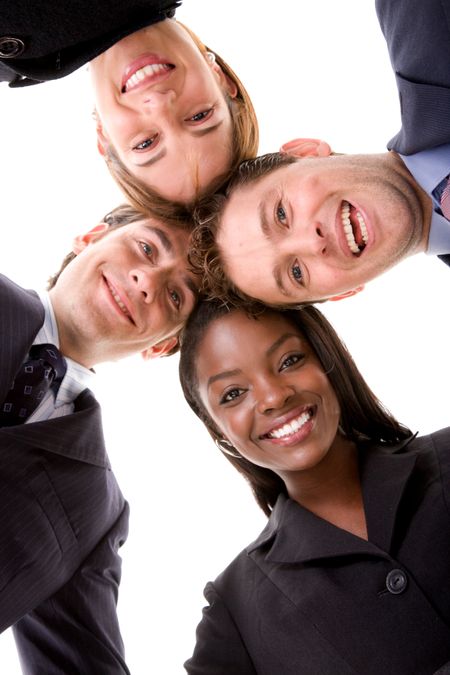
[307,225]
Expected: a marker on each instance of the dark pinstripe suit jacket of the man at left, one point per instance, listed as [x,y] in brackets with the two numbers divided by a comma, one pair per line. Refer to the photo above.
[62,521]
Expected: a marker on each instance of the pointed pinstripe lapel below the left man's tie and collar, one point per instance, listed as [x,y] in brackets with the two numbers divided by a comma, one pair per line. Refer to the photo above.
[78,436]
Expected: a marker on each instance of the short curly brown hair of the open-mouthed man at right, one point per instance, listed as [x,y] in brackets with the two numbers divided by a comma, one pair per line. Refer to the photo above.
[204,254]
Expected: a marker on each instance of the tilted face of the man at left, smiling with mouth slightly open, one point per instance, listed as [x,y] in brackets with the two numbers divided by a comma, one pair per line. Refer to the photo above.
[124,293]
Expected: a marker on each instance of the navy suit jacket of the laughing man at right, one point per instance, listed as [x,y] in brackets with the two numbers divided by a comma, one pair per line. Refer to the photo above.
[418,38]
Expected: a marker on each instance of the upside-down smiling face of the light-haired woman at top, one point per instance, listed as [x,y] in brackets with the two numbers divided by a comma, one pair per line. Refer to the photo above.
[161,104]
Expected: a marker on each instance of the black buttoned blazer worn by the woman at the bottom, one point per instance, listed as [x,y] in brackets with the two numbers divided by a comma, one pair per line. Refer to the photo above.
[307,597]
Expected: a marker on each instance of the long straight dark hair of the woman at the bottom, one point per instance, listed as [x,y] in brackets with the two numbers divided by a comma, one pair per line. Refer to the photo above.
[363,417]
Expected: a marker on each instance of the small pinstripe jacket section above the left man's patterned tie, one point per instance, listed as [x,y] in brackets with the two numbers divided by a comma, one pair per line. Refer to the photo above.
[22,315]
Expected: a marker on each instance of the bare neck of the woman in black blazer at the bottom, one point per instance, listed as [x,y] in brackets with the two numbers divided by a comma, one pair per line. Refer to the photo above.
[332,490]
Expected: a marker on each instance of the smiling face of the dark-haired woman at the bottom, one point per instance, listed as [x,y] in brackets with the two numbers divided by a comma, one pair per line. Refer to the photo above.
[267,392]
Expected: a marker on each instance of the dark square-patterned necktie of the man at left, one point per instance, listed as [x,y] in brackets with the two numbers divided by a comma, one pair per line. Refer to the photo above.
[44,369]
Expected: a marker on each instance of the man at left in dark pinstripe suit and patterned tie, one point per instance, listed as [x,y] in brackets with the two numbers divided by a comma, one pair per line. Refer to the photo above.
[127,289]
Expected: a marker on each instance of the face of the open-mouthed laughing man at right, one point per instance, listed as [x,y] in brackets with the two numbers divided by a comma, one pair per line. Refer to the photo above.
[321,227]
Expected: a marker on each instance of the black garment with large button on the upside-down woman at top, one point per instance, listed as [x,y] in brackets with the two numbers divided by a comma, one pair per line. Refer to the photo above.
[59,37]
